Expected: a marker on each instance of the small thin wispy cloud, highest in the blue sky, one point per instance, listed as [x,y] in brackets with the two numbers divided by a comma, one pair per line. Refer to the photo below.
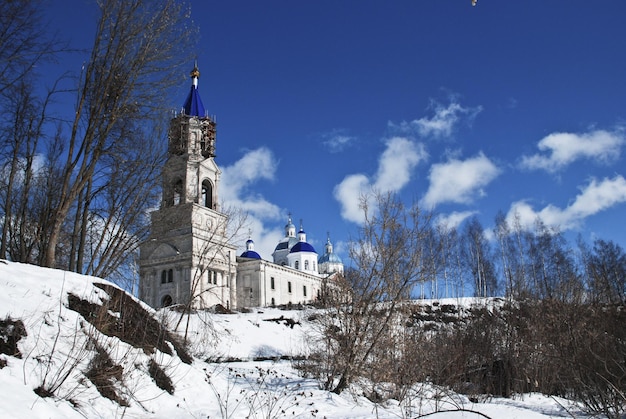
[442,124]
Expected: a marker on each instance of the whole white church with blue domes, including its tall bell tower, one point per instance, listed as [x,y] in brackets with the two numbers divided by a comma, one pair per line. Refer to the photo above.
[188,259]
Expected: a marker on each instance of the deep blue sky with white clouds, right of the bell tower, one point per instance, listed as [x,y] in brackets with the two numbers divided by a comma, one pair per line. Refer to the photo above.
[512,106]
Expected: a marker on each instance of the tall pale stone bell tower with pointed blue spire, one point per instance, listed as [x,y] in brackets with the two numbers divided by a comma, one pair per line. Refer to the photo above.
[187,258]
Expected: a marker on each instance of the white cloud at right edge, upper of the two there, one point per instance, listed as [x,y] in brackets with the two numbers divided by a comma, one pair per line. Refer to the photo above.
[559,149]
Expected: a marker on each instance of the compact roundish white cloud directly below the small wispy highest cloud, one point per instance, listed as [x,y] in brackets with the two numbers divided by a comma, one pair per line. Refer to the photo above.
[459,181]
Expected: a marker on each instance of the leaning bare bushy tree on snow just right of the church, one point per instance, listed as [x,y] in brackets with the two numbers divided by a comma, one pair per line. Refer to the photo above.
[388,263]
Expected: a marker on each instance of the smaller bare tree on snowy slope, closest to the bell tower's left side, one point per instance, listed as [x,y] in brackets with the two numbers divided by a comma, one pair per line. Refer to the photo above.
[111,220]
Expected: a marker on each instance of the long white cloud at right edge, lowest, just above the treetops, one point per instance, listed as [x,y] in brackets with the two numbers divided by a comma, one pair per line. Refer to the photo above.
[594,198]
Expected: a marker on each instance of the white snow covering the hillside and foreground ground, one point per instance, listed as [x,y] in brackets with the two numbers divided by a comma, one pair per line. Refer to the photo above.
[254,383]
